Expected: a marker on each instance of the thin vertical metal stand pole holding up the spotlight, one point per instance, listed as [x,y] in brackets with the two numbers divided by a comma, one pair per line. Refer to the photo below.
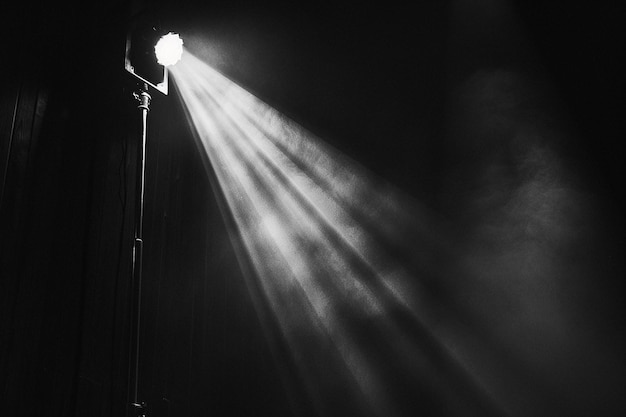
[138,408]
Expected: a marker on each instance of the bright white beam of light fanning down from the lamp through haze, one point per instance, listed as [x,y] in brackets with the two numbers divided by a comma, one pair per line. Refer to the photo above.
[335,252]
